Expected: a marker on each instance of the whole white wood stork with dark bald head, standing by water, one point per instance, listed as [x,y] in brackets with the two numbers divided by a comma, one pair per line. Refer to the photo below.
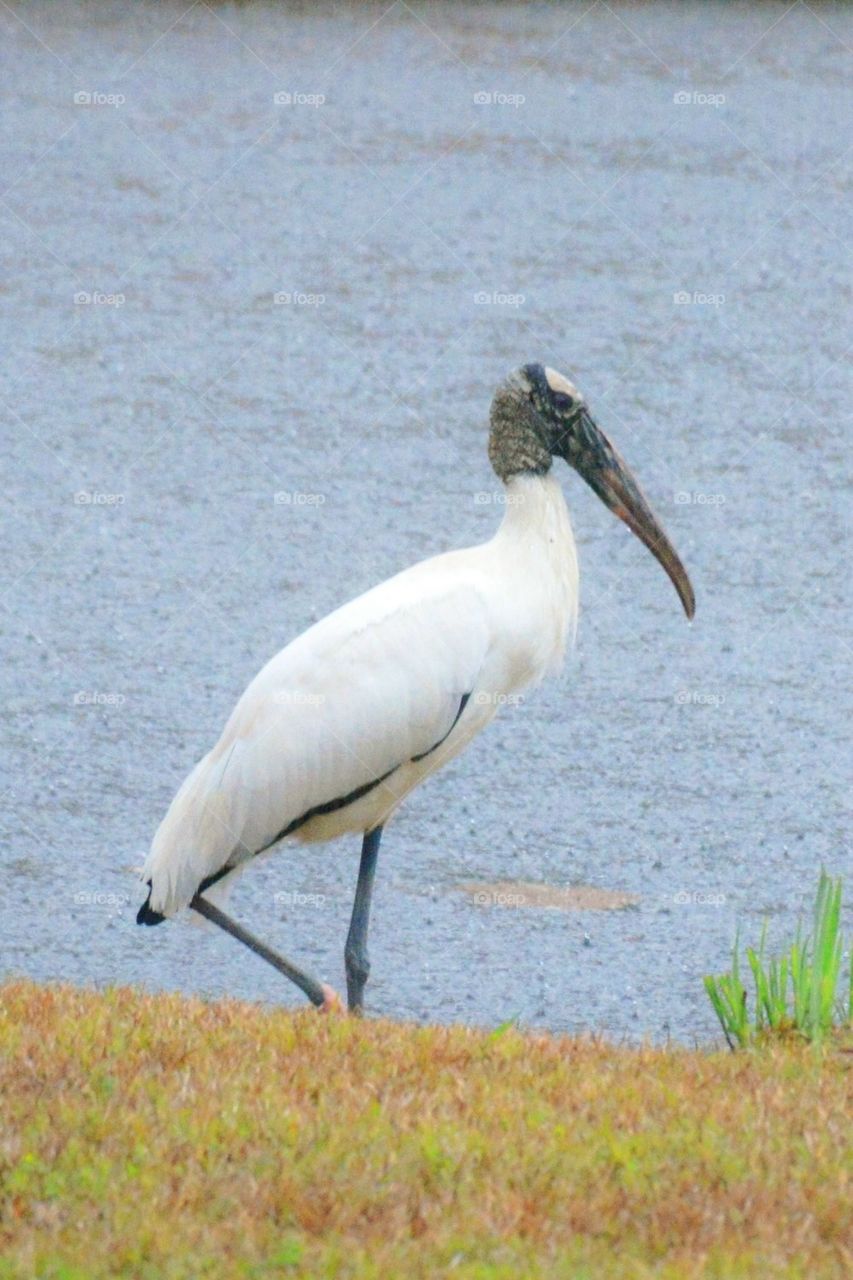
[341,725]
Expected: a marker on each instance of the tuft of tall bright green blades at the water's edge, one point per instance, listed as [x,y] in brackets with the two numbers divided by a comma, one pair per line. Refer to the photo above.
[793,993]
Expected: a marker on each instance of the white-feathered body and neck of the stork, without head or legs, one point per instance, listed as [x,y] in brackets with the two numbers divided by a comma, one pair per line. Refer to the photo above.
[373,692]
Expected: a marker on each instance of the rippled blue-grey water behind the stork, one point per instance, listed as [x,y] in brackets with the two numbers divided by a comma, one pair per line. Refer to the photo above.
[428,241]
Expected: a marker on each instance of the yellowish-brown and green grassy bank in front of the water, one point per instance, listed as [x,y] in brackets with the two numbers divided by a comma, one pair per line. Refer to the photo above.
[162,1137]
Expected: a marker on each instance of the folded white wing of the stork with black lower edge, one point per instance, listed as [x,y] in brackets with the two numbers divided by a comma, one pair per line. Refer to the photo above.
[366,691]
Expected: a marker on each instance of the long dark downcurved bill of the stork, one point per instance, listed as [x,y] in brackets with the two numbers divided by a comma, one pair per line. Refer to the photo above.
[595,459]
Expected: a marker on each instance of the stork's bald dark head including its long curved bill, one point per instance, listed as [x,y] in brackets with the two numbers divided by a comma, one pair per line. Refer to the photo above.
[539,415]
